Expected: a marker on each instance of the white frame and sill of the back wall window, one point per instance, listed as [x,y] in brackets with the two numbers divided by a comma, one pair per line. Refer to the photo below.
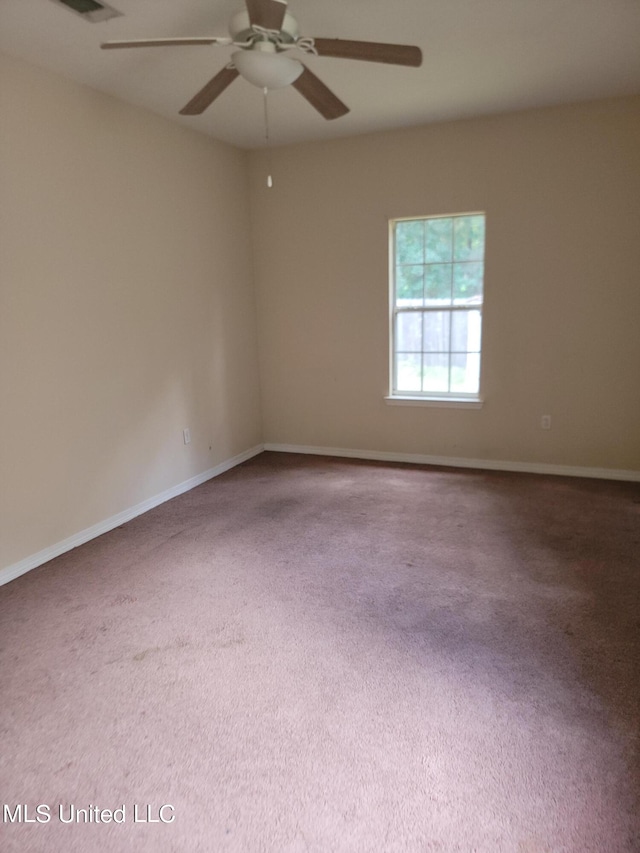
[427,398]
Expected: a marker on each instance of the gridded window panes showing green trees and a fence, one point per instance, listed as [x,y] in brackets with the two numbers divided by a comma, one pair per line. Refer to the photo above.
[437,273]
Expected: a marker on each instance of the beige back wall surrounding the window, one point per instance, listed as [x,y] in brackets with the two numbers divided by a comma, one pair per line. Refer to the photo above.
[561,190]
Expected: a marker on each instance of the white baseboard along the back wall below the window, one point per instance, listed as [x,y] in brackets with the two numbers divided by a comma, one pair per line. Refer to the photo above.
[460,462]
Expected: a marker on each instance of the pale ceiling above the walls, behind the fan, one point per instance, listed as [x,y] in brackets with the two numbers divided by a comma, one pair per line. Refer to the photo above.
[480,57]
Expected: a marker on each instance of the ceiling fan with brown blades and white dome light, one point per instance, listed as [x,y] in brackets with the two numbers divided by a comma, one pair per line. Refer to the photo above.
[264,34]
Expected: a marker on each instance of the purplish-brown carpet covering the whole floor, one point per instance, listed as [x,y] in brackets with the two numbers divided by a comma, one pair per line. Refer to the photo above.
[312,654]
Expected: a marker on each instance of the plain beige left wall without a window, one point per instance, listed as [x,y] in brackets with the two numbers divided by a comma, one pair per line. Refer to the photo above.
[126,308]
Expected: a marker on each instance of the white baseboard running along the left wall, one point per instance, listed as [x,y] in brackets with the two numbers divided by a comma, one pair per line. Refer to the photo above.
[14,571]
